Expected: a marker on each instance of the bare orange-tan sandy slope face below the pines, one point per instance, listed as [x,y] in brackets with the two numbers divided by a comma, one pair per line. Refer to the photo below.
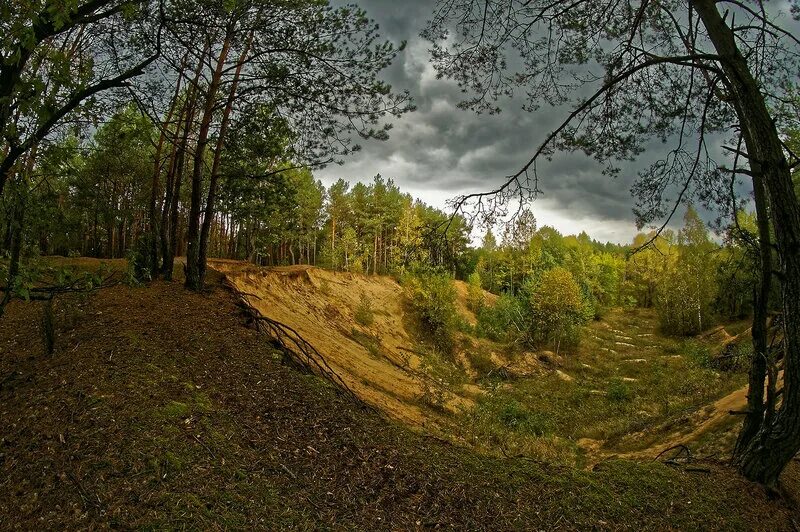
[379,362]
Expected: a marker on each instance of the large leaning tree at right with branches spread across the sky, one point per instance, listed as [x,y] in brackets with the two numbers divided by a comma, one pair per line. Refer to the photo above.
[705,76]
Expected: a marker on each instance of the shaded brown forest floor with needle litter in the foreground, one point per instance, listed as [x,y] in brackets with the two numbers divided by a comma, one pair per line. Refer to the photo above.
[160,408]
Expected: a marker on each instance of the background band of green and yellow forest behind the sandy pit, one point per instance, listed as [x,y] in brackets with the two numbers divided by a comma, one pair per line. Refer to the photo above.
[94,197]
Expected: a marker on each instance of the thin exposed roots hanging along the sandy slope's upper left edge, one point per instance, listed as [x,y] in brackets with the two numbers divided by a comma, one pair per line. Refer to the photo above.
[293,343]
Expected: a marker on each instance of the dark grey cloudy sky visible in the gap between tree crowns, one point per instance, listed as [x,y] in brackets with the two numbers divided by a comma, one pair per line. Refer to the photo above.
[440,151]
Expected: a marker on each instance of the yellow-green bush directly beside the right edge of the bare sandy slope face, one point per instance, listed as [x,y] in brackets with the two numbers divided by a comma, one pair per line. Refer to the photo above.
[433,298]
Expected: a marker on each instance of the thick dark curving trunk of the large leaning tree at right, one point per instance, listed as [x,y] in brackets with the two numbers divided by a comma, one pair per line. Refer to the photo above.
[777,442]
